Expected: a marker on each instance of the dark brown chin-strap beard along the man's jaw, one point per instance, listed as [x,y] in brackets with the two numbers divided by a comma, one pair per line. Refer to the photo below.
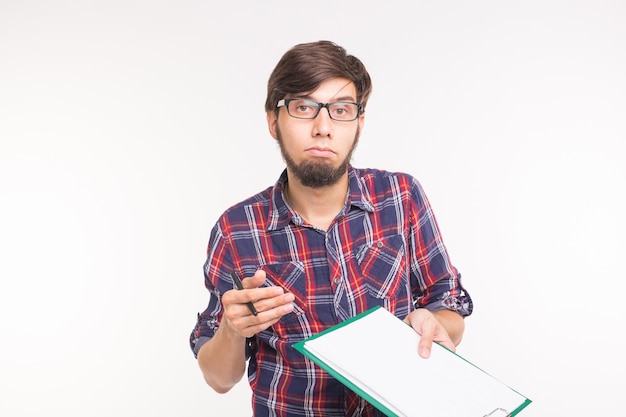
[317,174]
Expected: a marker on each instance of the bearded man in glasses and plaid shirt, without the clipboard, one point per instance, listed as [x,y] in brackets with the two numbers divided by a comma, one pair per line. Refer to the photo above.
[328,241]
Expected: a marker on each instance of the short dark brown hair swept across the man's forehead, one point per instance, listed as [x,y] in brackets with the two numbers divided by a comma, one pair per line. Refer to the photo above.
[305,66]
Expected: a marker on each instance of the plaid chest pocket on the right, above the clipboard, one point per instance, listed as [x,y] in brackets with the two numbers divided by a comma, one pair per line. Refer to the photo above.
[384,267]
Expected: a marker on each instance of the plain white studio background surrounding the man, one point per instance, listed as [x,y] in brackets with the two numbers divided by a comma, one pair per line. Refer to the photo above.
[127,127]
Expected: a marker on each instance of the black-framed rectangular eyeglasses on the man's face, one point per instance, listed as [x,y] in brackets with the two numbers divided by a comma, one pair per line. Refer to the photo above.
[300,108]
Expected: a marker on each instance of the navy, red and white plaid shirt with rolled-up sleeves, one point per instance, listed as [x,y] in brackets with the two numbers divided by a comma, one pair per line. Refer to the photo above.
[384,248]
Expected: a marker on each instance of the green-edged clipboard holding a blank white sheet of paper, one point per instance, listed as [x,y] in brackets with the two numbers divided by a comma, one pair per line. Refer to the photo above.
[375,355]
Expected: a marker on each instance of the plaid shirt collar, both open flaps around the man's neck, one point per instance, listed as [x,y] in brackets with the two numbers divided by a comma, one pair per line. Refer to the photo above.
[280,215]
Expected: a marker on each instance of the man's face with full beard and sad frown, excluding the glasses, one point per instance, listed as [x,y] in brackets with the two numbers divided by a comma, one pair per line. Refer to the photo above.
[317,151]
